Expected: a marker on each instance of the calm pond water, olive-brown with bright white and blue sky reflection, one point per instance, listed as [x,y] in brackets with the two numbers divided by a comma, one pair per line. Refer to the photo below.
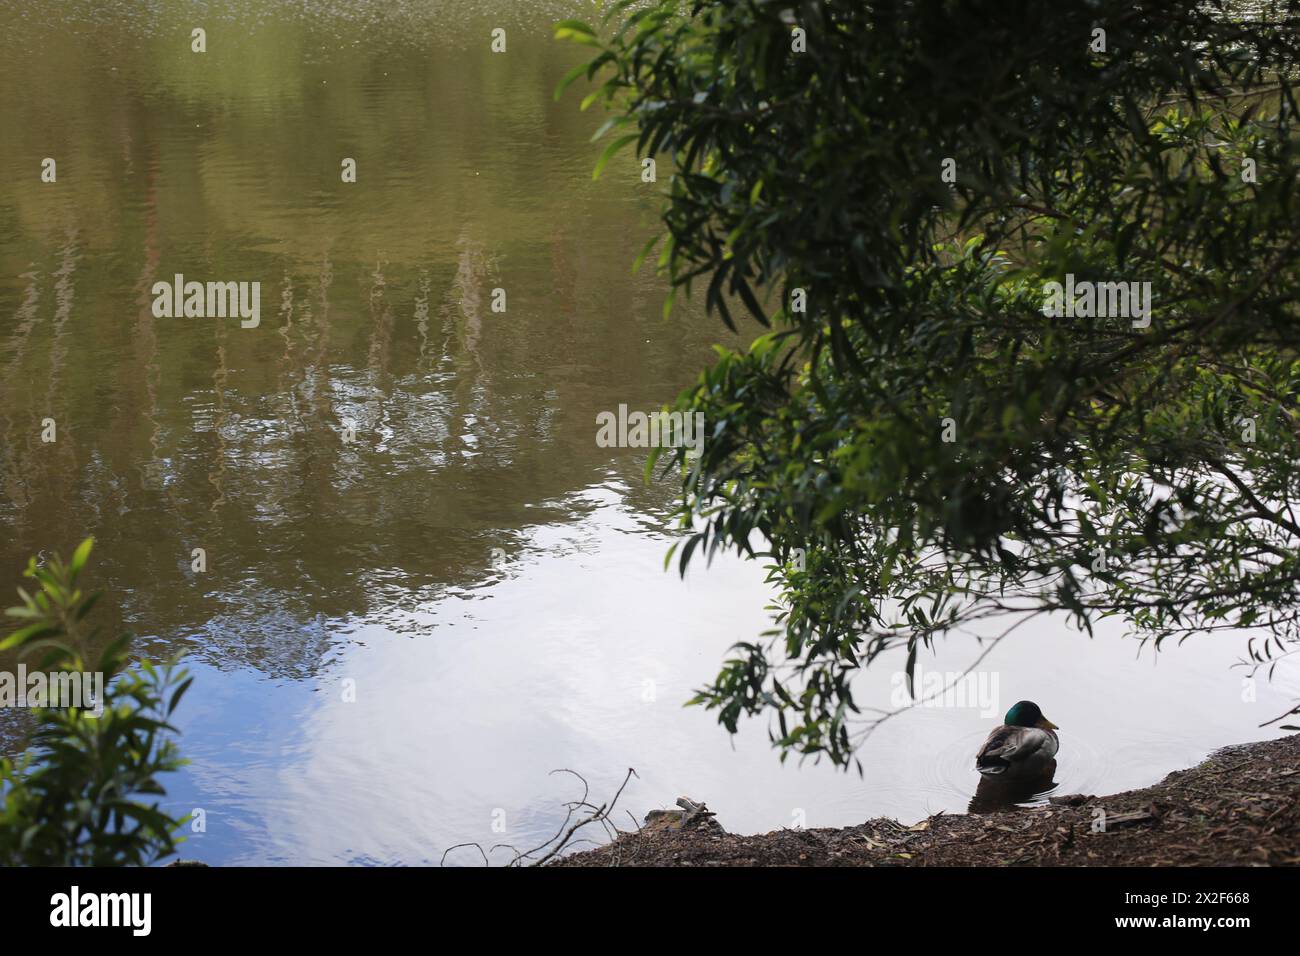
[487,578]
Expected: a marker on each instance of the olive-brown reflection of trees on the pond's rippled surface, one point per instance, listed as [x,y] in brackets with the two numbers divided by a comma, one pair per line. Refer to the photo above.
[181,434]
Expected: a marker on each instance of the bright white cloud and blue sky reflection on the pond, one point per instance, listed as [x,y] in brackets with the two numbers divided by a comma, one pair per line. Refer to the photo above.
[467,710]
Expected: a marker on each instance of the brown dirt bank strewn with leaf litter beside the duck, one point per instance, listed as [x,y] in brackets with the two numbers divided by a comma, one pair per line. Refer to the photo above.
[1241,807]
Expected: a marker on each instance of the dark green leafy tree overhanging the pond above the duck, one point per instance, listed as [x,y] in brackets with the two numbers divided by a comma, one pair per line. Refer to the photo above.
[921,440]
